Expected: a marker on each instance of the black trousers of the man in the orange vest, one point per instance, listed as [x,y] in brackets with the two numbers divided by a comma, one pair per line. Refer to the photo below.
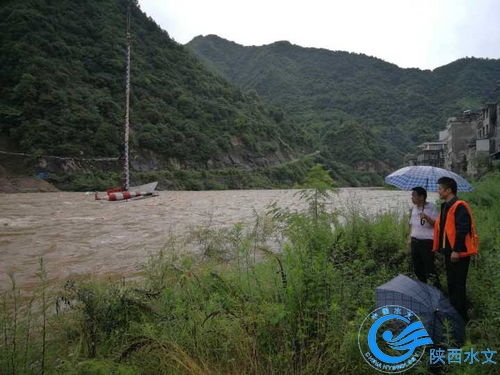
[456,274]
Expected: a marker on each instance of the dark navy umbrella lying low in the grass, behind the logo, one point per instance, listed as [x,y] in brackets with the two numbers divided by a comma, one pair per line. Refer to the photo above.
[427,302]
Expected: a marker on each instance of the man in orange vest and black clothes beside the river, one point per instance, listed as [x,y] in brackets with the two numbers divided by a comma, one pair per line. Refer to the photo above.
[456,238]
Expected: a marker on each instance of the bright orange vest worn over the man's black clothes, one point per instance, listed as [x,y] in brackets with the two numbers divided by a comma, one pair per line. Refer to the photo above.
[471,239]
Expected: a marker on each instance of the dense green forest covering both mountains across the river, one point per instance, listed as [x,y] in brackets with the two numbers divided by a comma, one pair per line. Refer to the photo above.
[62,70]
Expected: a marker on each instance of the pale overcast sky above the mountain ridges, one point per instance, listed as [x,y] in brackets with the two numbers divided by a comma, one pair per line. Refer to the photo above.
[410,33]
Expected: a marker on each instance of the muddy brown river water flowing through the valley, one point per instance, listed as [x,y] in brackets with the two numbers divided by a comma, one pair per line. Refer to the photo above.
[77,235]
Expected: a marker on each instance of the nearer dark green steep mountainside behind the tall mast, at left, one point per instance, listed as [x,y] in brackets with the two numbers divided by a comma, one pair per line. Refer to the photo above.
[62,79]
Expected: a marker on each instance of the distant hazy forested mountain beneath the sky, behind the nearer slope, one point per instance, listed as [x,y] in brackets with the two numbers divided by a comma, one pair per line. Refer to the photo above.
[356,108]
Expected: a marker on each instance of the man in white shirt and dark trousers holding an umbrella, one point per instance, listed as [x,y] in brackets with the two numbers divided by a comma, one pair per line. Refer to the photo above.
[422,217]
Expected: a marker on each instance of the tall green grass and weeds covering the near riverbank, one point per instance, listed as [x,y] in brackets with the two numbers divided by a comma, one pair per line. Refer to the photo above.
[240,306]
